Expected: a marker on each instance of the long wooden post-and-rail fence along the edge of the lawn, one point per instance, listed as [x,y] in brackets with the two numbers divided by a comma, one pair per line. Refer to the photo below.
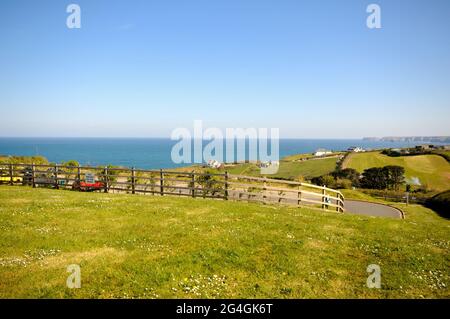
[161,182]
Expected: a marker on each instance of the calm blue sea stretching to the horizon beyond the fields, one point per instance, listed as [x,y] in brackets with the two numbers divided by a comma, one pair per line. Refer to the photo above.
[153,153]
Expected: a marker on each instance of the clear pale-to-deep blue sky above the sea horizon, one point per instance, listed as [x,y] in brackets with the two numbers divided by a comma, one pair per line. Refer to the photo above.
[143,68]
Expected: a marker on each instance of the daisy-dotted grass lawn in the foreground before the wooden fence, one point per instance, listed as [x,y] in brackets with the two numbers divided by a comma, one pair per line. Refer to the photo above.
[131,246]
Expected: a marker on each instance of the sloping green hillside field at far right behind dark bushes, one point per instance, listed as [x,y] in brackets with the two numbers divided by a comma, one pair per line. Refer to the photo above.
[432,170]
